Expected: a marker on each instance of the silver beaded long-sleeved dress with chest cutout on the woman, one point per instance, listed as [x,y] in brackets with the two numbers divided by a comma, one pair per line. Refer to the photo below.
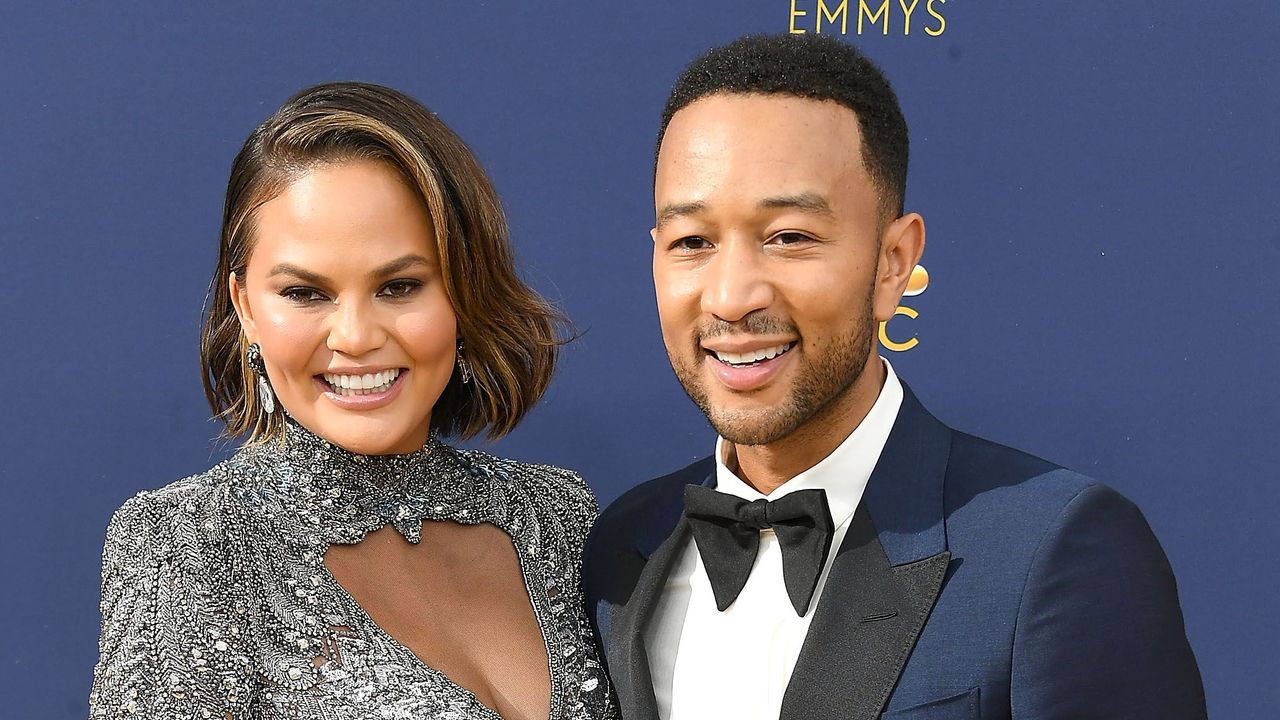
[217,603]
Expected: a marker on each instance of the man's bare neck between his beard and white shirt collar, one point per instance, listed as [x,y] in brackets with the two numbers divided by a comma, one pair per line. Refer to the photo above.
[769,467]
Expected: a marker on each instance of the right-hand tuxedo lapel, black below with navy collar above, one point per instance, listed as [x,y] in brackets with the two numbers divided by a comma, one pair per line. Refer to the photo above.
[884,581]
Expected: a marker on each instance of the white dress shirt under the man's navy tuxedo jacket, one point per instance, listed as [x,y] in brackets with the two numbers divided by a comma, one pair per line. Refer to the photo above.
[738,663]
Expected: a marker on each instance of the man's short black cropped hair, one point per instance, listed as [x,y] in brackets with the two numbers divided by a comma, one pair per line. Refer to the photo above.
[819,69]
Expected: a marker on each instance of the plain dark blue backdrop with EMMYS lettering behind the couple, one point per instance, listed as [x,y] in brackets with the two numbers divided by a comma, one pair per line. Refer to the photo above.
[1100,184]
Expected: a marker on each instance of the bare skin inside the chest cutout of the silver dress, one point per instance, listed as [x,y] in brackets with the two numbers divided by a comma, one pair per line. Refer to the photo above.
[463,575]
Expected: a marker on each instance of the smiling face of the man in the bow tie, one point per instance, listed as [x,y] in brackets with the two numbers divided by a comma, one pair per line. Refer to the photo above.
[766,254]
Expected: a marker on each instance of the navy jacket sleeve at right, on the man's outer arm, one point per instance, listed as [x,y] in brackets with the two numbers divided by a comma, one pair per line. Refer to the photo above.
[1100,632]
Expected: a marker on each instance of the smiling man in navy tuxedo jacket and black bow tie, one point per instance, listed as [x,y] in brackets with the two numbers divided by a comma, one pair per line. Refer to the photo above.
[844,554]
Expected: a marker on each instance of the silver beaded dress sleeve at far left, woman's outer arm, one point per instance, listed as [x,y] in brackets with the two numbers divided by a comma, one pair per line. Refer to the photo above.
[159,654]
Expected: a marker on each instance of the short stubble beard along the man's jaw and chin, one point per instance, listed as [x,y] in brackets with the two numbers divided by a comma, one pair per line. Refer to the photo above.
[819,385]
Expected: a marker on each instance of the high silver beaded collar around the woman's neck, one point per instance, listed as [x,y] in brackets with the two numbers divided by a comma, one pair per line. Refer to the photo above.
[342,496]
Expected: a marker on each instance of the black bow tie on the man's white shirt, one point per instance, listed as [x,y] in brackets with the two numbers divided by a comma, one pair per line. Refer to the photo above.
[728,532]
